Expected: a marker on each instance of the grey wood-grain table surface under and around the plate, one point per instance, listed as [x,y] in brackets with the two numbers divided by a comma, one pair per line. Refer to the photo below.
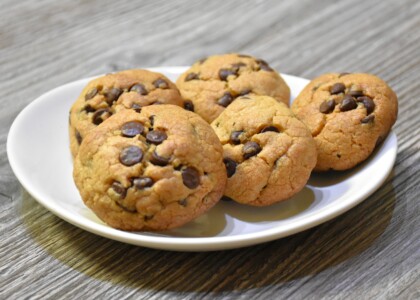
[369,252]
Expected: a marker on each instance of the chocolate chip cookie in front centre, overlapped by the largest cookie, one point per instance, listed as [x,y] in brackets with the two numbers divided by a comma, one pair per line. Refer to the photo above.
[269,154]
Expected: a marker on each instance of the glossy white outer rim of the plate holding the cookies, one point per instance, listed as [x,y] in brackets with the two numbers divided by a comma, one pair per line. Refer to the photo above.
[189,243]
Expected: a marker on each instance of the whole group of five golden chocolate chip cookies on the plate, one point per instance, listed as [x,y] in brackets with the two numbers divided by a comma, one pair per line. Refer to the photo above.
[152,155]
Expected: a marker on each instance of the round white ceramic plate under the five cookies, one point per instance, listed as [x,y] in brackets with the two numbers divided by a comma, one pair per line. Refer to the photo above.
[38,151]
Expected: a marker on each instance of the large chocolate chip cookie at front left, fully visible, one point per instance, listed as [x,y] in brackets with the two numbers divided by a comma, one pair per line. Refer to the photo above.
[153,170]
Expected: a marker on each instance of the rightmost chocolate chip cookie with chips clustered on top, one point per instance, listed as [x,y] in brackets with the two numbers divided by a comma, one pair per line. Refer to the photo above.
[348,115]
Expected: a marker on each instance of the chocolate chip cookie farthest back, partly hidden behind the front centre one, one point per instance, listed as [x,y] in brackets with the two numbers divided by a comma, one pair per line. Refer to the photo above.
[211,84]
